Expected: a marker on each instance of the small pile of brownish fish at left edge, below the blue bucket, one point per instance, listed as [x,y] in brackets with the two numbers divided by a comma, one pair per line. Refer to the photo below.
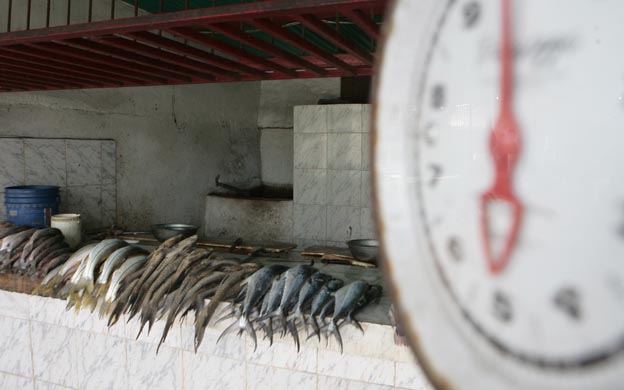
[30,251]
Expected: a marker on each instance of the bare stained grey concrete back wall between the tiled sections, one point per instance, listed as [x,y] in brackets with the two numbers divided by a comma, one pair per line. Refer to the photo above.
[171,141]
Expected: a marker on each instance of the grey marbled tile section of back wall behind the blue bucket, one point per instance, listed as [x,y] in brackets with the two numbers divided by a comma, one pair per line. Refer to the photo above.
[84,169]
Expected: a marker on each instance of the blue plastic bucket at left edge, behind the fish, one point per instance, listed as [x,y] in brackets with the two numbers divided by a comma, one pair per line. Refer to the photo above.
[31,205]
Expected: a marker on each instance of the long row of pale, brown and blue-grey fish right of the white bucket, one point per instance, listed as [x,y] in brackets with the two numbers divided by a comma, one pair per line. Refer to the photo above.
[177,278]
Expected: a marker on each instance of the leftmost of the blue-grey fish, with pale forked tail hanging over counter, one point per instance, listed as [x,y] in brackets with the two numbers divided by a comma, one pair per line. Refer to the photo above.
[257,286]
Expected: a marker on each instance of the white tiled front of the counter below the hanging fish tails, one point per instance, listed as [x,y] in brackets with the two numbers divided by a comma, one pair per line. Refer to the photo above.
[42,346]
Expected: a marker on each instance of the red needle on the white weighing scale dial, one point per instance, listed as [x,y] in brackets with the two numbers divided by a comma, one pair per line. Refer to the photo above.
[505,148]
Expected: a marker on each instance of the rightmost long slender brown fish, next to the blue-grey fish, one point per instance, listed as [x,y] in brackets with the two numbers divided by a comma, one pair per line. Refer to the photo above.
[226,289]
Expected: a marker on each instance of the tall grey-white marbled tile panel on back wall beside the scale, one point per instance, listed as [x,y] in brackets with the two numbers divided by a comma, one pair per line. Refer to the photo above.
[332,201]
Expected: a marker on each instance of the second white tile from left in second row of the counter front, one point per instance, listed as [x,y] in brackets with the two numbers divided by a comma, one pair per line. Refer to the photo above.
[55,353]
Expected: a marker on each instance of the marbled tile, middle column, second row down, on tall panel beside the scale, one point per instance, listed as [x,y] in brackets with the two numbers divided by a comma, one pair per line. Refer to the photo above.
[344,151]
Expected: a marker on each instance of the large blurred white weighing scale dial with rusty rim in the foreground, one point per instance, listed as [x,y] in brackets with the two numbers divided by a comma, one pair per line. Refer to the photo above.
[499,160]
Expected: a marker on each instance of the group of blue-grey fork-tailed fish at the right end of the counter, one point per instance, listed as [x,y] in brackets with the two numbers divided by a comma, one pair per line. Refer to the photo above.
[288,299]
